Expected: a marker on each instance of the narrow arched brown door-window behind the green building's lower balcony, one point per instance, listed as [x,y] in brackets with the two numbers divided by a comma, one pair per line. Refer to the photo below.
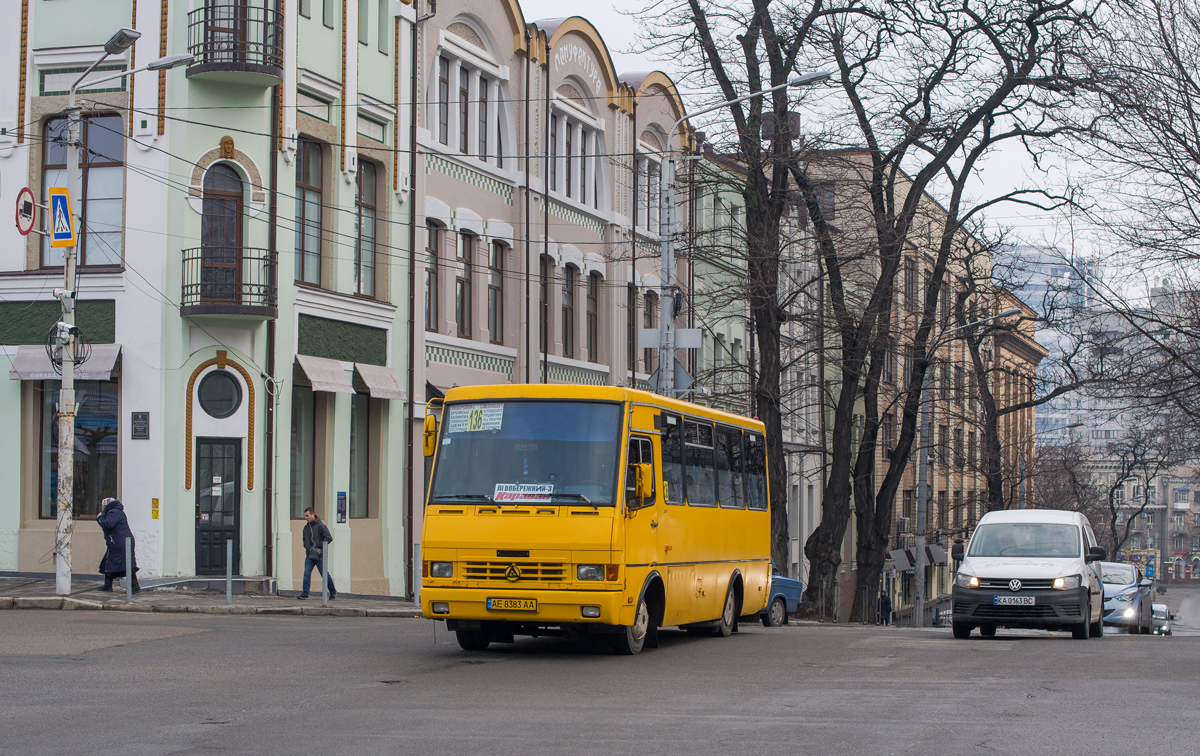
[221,235]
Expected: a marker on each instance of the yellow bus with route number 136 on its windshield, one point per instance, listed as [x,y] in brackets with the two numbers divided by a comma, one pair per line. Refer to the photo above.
[579,511]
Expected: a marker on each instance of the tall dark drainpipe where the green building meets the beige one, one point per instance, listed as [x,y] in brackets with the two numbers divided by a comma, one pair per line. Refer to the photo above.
[411,415]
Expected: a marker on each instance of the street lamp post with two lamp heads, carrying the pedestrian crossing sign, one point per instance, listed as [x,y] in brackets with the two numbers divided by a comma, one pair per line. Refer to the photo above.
[118,44]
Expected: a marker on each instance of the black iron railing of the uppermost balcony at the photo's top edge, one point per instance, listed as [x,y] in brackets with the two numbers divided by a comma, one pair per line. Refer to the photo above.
[237,41]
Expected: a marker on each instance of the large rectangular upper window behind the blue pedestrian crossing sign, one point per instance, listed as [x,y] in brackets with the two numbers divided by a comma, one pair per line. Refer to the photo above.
[101,184]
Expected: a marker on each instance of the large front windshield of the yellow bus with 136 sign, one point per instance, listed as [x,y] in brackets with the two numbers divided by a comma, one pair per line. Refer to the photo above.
[529,452]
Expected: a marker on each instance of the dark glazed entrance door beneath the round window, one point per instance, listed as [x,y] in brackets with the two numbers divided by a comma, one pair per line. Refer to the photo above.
[218,503]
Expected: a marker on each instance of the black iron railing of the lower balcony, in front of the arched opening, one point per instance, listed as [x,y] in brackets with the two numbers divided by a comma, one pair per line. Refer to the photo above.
[233,281]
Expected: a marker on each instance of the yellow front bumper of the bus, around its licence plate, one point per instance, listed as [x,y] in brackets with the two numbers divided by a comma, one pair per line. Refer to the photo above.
[554,608]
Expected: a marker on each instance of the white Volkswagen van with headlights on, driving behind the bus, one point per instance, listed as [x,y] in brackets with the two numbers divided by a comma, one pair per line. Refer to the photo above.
[1030,568]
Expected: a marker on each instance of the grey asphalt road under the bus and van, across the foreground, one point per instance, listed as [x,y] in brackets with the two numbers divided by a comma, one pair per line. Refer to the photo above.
[104,683]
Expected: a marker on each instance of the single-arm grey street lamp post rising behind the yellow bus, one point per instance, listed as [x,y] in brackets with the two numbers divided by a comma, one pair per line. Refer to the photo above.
[667,244]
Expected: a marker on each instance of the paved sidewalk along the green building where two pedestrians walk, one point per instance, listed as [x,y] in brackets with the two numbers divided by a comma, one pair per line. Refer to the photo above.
[160,596]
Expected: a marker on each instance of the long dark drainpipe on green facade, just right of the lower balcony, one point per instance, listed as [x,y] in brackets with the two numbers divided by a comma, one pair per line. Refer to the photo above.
[269,379]
